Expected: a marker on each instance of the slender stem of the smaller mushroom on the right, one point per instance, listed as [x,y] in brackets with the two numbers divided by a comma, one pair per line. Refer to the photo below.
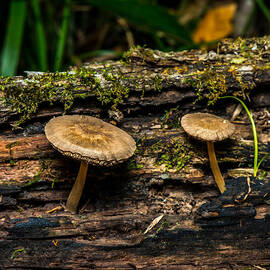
[215,168]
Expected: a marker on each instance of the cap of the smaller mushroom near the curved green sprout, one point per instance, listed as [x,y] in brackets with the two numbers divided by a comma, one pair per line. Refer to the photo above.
[207,127]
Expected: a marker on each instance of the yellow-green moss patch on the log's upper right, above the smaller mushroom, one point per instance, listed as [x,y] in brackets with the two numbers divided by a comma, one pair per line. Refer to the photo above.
[211,83]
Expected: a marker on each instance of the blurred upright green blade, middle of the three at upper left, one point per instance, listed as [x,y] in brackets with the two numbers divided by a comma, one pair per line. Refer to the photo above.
[41,46]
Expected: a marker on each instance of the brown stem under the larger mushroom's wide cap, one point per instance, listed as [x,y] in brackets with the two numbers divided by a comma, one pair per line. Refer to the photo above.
[76,192]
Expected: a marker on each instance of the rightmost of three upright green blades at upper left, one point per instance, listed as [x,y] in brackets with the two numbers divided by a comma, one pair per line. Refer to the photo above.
[62,37]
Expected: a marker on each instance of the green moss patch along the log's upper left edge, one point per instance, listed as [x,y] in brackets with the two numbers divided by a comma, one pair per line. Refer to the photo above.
[25,96]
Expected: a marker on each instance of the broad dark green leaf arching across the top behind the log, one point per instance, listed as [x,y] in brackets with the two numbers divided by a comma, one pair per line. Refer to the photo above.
[154,17]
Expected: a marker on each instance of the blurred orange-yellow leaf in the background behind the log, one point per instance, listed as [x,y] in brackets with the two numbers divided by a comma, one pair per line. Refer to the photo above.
[216,24]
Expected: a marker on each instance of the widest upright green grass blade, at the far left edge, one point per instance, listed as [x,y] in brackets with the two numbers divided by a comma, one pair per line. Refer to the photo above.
[13,37]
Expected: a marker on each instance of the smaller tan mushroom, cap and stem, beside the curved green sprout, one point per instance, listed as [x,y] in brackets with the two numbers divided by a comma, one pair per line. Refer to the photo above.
[210,128]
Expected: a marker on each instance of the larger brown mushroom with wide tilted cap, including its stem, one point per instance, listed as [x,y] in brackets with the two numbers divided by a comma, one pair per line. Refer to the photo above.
[91,141]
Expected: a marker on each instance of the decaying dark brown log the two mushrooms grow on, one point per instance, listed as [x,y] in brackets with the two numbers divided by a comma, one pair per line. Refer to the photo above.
[155,211]
